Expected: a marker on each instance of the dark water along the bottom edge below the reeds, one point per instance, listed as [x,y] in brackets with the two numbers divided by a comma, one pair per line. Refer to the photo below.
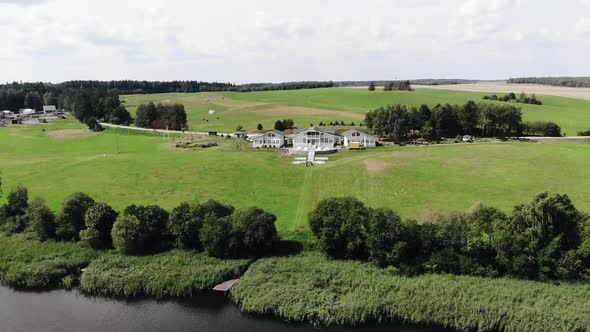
[61,310]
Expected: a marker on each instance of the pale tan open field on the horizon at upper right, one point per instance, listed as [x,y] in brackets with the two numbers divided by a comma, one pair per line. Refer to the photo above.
[539,89]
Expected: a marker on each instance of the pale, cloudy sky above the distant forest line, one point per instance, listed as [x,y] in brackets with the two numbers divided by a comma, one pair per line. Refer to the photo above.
[279,41]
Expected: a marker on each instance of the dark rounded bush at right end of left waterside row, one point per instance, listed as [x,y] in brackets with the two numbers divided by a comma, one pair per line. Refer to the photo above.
[256,231]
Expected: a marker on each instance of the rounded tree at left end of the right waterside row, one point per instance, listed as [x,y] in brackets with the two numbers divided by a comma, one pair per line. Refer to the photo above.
[340,225]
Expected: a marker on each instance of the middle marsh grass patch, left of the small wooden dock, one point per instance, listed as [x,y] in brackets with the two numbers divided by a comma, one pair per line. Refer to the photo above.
[169,274]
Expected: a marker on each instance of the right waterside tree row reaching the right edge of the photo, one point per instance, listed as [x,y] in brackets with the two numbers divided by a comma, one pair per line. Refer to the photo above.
[547,238]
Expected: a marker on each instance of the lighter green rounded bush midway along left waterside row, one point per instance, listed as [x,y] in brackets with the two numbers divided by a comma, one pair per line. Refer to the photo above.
[126,235]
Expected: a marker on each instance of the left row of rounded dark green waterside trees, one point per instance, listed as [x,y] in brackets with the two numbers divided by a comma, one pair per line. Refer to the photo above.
[218,229]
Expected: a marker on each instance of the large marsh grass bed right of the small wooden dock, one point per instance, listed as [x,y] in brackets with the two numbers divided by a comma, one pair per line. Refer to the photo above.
[309,287]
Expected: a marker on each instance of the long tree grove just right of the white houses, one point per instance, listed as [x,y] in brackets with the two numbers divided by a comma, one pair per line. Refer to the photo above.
[400,123]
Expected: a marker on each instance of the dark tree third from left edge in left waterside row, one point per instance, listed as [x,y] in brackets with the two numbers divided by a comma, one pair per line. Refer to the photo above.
[70,221]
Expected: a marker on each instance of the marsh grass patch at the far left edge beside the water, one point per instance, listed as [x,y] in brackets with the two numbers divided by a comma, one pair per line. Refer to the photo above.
[27,263]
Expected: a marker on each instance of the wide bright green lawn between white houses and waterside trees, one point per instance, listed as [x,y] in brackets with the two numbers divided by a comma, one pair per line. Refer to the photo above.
[415,181]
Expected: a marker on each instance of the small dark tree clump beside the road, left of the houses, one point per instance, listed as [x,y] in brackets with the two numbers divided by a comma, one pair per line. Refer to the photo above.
[159,116]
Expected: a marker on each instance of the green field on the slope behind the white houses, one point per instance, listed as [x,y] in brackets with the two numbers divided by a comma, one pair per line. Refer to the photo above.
[341,104]
